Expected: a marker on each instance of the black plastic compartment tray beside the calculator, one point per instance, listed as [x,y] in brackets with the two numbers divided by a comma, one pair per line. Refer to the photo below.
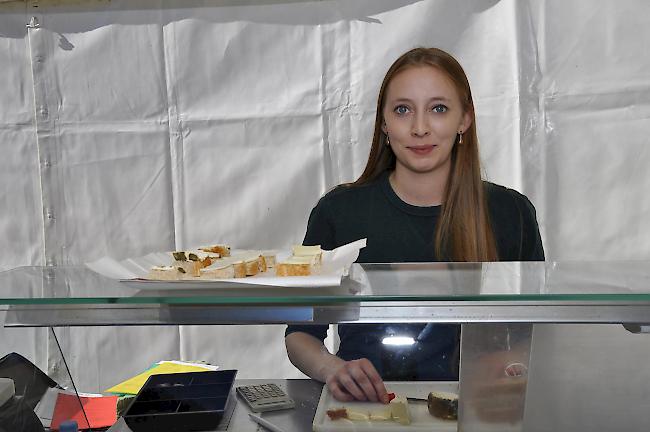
[192,401]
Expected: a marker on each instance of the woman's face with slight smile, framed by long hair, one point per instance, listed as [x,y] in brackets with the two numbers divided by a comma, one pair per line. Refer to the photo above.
[422,115]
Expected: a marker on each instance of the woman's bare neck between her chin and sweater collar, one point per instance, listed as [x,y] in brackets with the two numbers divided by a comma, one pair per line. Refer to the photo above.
[418,189]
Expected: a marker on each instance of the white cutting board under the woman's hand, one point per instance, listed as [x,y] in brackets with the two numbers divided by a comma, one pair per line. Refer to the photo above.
[421,420]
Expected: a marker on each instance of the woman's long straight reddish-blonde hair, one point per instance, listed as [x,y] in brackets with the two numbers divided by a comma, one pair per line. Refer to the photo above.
[464,232]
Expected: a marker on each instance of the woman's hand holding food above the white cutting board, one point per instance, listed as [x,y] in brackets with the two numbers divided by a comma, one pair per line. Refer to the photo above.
[356,380]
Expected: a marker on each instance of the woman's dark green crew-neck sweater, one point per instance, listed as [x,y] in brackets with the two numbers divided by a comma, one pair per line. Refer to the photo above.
[399,232]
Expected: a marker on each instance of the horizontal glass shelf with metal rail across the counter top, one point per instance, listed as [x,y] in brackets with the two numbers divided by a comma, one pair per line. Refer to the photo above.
[601,292]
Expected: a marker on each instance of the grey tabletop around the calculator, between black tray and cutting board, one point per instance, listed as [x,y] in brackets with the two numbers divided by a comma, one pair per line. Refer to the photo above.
[305,392]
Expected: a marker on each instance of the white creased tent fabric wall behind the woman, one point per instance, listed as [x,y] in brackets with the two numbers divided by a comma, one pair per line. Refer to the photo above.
[130,127]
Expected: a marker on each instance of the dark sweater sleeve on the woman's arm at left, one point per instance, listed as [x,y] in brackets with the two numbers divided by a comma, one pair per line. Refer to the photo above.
[319,232]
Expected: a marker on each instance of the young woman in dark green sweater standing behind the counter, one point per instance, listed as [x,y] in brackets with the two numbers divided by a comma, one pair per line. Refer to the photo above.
[419,199]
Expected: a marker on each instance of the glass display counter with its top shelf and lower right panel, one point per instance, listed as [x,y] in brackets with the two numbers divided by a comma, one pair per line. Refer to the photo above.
[497,303]
